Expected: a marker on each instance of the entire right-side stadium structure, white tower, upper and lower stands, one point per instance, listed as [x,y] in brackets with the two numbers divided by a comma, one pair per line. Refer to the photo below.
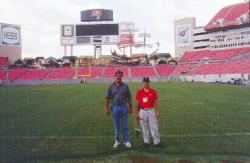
[216,52]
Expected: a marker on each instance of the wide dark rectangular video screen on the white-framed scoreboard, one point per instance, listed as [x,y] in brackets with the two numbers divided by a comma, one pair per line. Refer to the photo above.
[97,29]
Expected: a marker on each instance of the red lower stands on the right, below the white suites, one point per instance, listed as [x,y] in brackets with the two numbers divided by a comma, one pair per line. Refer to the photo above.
[215,66]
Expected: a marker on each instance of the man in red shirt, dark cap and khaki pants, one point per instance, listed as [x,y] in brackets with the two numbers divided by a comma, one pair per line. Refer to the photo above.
[147,111]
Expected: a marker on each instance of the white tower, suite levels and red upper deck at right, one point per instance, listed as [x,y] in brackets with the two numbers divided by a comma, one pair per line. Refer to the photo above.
[228,29]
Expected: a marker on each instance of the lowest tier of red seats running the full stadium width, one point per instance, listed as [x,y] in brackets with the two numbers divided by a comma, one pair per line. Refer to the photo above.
[225,67]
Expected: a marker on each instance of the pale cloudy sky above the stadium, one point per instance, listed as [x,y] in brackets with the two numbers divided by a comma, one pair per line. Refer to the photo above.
[40,20]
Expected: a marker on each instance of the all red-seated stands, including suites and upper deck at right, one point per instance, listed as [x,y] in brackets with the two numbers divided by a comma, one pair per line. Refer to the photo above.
[226,55]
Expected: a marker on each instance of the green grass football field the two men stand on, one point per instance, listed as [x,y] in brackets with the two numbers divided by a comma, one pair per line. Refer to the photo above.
[67,123]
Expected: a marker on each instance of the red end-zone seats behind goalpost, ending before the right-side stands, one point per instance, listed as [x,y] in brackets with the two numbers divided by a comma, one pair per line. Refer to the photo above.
[68,73]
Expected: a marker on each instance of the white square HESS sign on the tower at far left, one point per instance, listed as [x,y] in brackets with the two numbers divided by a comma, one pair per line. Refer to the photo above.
[10,35]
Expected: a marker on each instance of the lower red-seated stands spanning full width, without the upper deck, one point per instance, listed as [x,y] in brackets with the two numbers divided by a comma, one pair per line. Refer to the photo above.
[235,63]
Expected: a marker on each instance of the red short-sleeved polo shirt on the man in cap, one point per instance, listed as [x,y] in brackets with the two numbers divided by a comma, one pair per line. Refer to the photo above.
[146,98]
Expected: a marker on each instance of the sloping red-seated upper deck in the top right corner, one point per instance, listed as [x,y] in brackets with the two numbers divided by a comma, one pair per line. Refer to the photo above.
[230,16]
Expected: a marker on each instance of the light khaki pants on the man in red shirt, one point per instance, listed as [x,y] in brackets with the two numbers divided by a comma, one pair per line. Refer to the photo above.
[149,123]
